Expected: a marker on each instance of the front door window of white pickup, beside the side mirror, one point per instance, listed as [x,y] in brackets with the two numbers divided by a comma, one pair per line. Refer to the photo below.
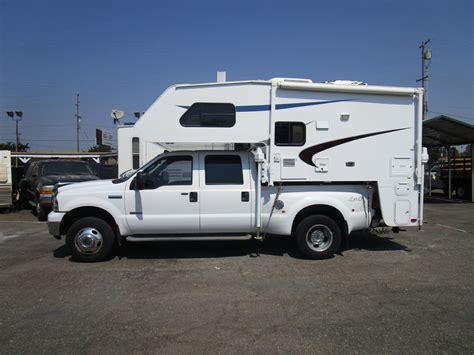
[170,170]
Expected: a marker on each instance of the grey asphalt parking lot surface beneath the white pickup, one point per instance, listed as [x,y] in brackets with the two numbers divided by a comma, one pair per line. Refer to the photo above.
[409,292]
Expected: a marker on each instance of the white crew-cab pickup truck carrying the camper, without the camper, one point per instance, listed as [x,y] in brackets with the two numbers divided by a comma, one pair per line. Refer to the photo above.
[203,195]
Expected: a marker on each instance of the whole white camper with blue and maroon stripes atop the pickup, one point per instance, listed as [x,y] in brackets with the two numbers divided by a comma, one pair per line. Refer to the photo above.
[322,133]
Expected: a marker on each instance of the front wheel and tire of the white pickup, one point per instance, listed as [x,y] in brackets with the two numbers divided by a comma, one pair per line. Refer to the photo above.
[82,230]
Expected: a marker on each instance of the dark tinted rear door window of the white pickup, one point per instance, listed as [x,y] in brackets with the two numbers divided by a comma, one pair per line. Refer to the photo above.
[223,170]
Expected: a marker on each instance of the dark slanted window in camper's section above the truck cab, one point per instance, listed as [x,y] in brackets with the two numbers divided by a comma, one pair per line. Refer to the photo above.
[203,114]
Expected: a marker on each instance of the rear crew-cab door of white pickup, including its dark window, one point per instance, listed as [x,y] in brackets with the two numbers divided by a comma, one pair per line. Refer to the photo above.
[225,192]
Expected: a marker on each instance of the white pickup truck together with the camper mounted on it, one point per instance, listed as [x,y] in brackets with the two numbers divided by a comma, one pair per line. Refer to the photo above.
[323,160]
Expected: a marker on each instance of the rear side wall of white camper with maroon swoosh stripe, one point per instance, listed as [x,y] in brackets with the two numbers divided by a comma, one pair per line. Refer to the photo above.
[352,137]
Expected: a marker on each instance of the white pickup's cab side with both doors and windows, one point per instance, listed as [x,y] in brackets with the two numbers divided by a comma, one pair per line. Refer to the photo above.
[205,192]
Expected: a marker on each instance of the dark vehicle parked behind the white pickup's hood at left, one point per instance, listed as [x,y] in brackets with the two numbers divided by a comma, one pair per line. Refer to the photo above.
[37,186]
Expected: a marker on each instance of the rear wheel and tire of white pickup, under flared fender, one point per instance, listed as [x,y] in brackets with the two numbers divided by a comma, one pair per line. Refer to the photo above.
[325,241]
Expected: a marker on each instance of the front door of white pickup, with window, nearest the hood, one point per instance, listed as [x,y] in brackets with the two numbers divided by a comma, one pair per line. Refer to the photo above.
[169,202]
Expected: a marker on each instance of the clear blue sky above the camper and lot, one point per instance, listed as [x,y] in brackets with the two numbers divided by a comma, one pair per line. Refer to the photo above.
[122,54]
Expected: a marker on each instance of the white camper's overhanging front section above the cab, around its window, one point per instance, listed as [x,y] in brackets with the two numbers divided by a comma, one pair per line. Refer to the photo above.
[161,122]
